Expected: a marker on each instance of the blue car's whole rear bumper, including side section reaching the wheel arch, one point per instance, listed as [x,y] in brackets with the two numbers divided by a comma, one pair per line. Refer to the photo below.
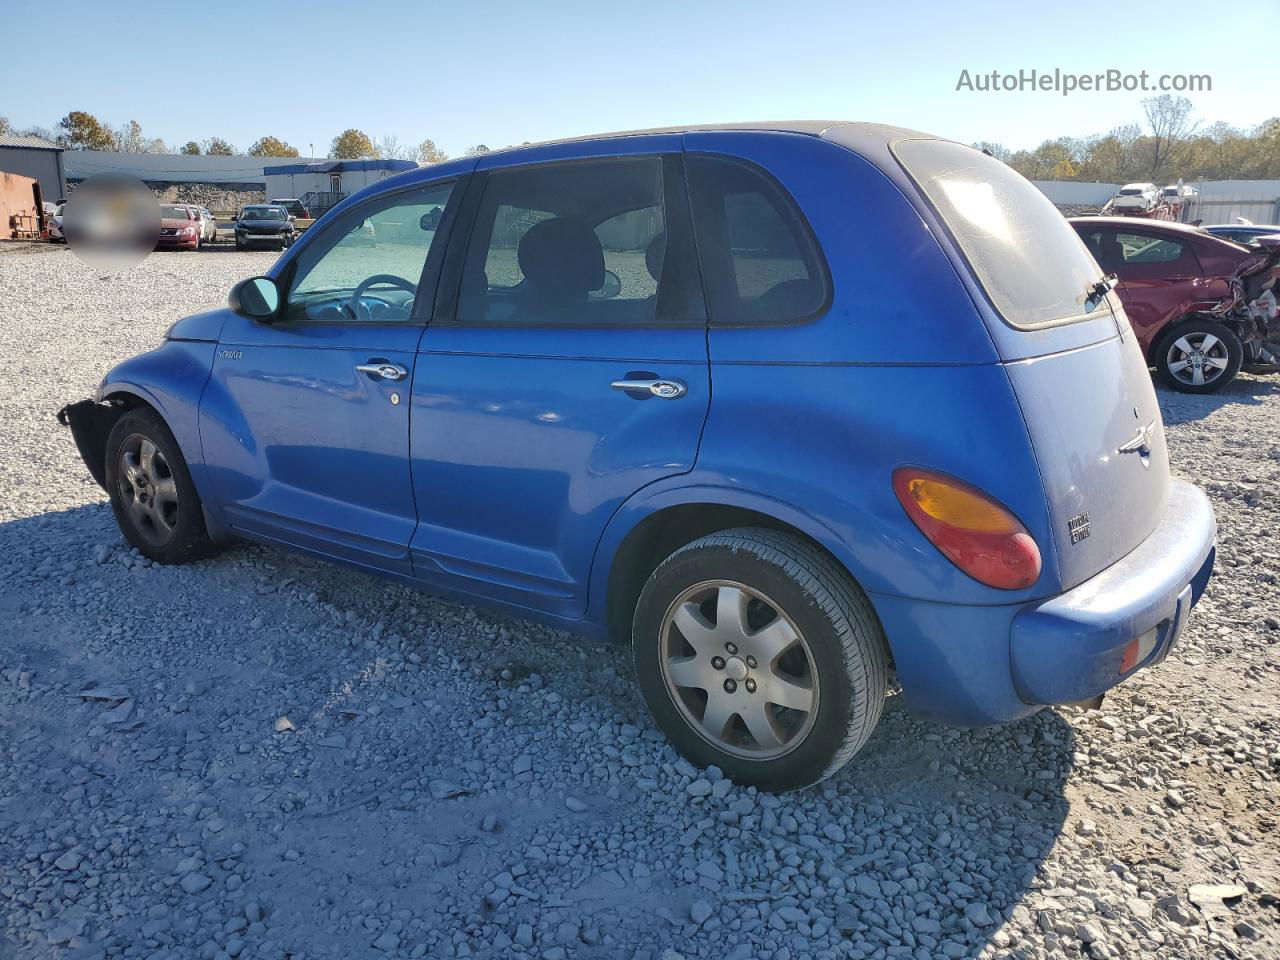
[976,666]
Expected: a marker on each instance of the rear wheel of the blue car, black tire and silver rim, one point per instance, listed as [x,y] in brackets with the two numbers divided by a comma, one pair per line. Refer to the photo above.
[758,655]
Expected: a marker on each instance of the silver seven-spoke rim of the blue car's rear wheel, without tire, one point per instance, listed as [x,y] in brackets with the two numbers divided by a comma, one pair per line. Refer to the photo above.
[739,670]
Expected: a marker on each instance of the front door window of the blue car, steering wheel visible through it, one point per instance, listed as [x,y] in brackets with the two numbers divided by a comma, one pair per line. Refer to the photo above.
[368,264]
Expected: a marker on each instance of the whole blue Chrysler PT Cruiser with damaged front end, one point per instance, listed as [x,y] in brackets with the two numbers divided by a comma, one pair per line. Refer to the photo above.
[784,406]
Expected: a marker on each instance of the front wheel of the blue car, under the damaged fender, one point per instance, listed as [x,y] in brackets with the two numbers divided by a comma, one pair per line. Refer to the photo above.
[153,497]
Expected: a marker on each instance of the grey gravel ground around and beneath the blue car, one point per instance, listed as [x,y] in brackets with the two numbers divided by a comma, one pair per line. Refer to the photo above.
[260,756]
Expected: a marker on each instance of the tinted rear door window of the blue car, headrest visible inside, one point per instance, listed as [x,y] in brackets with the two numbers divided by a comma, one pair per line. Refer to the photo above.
[578,243]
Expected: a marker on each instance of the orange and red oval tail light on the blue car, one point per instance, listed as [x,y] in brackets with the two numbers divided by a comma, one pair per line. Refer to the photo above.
[971,529]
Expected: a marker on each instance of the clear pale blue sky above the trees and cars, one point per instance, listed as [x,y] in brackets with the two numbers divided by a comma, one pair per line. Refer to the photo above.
[506,72]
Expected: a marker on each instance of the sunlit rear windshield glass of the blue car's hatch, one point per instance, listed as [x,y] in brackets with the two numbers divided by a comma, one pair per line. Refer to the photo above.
[1021,249]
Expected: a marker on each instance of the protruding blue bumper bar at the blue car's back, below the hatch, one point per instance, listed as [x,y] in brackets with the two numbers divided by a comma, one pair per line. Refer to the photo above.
[1085,642]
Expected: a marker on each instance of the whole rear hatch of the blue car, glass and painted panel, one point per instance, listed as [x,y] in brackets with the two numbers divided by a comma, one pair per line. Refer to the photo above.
[1090,410]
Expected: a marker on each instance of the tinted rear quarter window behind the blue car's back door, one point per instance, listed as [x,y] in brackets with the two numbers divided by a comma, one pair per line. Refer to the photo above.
[761,263]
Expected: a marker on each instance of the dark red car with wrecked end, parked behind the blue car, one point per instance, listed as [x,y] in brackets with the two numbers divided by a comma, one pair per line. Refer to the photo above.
[1203,307]
